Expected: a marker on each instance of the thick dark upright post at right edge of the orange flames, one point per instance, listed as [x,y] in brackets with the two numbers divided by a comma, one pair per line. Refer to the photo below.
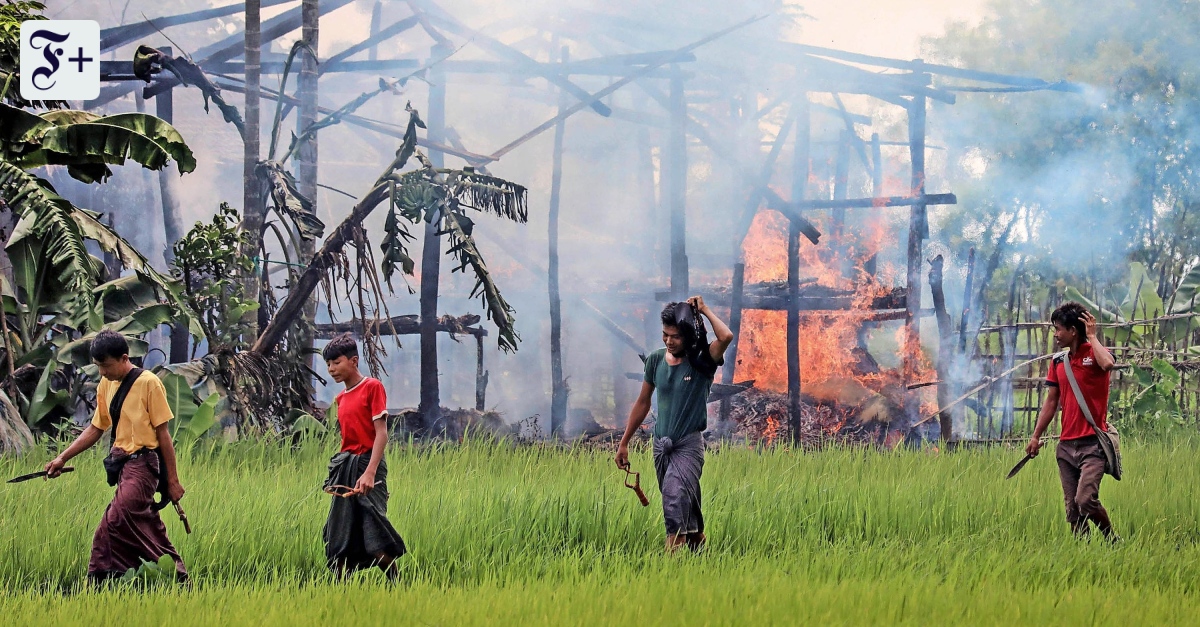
[917,234]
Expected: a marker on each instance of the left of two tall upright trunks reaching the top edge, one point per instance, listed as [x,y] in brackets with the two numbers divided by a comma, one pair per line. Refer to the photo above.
[254,211]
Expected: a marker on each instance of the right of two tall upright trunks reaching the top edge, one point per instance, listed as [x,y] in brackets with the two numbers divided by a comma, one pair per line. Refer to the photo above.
[307,162]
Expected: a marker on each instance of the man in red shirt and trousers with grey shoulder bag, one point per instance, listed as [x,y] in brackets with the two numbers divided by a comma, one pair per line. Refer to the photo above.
[1081,458]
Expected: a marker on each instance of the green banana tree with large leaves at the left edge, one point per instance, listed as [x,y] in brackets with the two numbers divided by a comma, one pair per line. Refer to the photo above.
[58,298]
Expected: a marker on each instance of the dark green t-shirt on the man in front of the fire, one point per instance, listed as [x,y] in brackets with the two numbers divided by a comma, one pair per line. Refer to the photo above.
[682,393]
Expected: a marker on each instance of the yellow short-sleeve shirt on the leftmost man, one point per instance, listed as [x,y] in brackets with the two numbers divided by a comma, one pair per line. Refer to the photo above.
[146,408]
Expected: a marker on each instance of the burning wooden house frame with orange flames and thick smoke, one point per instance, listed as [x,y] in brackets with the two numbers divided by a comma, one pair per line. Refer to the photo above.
[821,266]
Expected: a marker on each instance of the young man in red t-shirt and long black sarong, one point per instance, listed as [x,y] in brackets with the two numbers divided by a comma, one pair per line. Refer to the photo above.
[358,534]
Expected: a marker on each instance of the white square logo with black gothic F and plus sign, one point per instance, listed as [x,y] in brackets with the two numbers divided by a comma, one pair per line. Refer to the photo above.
[59,59]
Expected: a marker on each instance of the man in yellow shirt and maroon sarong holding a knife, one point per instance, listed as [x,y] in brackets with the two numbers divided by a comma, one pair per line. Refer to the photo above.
[131,530]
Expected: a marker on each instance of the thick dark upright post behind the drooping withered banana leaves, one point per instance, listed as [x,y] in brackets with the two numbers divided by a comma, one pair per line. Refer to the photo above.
[431,256]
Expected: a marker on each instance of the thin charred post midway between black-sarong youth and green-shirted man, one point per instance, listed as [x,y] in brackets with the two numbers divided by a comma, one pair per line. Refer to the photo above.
[559,385]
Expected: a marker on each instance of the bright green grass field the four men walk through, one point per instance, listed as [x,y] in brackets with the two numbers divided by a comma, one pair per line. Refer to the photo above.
[521,535]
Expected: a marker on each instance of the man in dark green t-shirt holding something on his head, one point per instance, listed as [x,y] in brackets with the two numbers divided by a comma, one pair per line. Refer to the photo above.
[682,374]
